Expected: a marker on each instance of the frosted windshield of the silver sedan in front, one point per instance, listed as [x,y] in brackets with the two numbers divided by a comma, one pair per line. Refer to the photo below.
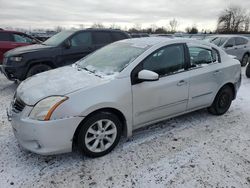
[112,58]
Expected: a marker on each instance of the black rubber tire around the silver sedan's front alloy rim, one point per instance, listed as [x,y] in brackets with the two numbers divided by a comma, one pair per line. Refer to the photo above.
[85,126]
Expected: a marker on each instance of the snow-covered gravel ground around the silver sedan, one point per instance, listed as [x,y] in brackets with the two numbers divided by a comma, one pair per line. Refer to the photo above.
[193,150]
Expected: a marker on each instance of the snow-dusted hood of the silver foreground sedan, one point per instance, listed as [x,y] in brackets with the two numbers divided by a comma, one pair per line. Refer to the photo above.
[61,81]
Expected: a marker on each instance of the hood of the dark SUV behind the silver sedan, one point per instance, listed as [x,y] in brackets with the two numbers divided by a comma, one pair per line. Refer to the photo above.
[26,49]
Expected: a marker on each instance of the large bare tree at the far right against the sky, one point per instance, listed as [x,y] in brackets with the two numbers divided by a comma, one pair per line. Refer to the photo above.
[232,20]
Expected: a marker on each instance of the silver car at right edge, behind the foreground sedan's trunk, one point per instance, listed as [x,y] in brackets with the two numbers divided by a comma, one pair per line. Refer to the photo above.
[235,45]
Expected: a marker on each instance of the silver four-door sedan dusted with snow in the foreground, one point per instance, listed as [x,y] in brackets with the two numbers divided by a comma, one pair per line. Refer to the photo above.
[119,88]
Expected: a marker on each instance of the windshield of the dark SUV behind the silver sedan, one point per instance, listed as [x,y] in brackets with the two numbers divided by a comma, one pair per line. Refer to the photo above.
[58,38]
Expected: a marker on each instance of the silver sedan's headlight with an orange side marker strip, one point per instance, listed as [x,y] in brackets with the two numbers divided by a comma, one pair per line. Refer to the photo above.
[44,108]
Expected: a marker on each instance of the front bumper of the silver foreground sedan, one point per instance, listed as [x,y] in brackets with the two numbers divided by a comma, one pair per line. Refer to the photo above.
[45,137]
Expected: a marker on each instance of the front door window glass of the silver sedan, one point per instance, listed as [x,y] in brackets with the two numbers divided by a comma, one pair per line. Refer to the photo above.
[166,60]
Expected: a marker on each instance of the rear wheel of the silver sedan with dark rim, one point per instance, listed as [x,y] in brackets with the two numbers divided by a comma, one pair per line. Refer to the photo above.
[222,101]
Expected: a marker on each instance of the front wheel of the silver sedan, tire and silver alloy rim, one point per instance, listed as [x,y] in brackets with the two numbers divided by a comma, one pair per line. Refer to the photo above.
[99,134]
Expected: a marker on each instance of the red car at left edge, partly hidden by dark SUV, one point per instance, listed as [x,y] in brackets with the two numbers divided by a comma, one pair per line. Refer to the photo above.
[13,39]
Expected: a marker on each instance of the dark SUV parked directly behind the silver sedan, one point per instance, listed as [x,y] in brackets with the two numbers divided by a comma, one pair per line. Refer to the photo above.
[62,49]
